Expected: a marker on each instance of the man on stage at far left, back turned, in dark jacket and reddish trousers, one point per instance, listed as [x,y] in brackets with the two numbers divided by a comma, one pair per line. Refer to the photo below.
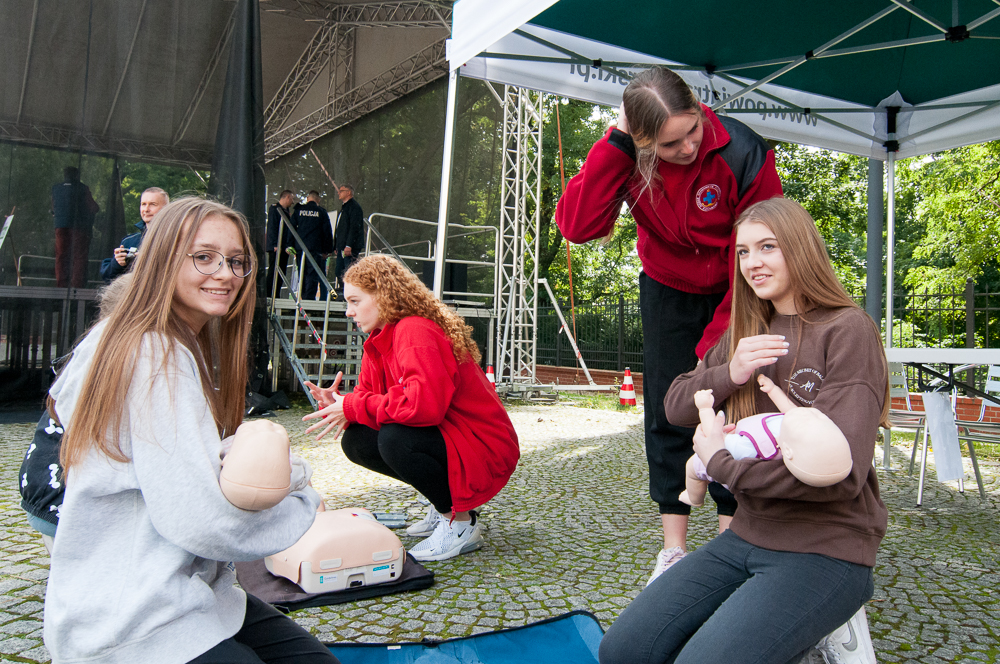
[73,208]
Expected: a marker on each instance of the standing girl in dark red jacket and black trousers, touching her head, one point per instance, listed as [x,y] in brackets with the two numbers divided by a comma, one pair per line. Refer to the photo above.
[686,174]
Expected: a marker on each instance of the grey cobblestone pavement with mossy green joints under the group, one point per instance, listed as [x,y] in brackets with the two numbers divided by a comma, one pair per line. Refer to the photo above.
[575,530]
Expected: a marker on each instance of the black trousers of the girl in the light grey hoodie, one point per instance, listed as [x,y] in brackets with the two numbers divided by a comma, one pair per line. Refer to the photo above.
[270,637]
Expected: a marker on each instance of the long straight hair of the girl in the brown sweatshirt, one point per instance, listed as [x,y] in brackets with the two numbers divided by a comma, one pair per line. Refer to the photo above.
[809,272]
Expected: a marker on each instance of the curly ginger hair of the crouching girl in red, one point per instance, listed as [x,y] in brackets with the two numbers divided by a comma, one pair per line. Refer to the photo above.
[398,293]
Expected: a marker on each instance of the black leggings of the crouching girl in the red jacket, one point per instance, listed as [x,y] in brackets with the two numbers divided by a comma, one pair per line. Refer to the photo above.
[415,455]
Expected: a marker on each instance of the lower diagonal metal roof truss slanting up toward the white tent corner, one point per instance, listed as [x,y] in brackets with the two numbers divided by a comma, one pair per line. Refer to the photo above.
[427,65]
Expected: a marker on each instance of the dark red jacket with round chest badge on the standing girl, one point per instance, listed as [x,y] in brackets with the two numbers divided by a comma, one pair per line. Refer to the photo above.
[685,228]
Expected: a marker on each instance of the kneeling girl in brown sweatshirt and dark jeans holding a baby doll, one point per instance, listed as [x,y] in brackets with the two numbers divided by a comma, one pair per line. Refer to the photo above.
[797,560]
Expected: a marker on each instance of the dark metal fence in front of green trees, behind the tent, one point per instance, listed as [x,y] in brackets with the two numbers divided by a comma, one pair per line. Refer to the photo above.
[609,331]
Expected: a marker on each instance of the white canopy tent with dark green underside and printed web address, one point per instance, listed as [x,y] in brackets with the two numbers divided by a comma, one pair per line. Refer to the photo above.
[930,92]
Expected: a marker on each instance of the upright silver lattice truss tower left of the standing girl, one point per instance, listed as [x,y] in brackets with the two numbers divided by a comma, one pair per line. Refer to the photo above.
[517,265]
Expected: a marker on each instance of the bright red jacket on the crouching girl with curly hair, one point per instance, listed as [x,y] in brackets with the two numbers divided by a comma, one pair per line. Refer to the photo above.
[409,376]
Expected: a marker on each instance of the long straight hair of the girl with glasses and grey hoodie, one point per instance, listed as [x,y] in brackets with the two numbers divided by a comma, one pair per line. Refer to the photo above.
[147,306]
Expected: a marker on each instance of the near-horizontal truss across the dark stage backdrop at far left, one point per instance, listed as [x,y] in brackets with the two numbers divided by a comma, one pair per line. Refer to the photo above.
[69,139]
